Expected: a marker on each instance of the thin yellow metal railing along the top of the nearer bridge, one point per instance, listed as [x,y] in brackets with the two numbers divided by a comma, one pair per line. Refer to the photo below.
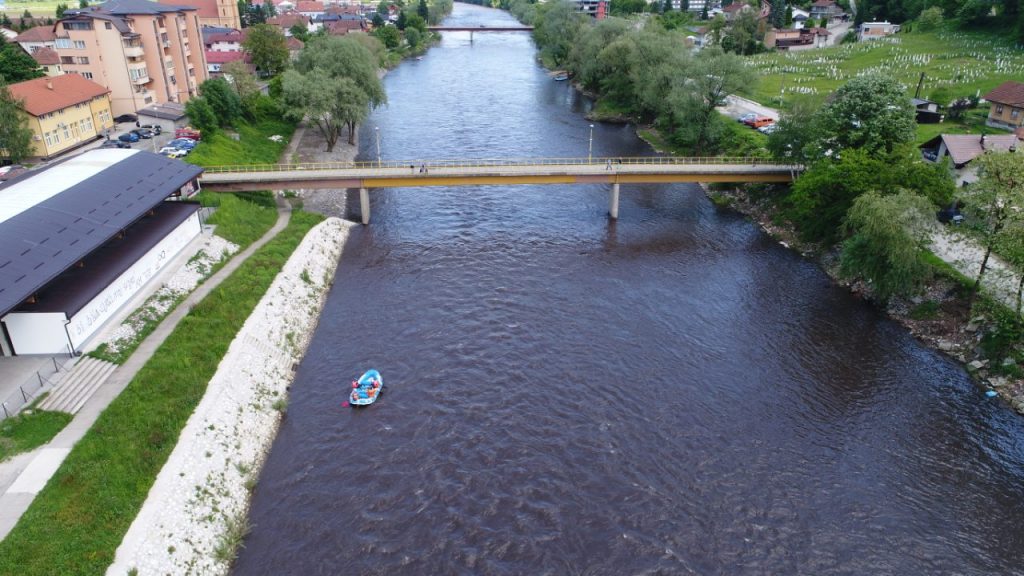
[499,163]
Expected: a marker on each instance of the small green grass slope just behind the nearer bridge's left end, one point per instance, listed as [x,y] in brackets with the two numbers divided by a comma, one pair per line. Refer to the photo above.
[253,147]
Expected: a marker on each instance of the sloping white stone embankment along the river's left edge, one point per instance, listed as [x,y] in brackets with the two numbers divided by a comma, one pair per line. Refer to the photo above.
[195,516]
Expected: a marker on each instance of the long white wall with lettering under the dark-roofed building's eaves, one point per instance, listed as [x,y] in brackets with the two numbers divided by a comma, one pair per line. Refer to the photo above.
[92,318]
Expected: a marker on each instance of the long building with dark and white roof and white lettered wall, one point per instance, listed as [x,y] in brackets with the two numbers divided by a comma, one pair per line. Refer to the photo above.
[82,238]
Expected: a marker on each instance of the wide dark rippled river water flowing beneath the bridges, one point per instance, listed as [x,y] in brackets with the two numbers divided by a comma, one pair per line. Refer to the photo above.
[670,394]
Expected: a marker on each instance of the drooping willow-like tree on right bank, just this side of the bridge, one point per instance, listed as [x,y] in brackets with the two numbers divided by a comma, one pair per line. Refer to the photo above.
[889,236]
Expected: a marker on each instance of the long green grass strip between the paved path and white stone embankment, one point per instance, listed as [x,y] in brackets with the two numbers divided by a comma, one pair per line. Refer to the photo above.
[75,525]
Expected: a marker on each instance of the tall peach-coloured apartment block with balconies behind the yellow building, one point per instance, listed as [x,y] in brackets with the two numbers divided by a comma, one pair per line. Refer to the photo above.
[143,52]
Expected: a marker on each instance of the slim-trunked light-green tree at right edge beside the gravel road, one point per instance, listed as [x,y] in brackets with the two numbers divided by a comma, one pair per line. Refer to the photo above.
[997,199]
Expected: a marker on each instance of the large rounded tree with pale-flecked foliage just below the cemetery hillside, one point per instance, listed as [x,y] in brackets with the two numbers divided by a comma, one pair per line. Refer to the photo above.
[871,113]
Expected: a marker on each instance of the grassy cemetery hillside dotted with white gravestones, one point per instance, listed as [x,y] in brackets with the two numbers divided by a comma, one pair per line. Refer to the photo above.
[956,64]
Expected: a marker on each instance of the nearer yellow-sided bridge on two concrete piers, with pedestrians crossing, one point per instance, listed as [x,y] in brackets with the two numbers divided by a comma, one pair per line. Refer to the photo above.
[615,172]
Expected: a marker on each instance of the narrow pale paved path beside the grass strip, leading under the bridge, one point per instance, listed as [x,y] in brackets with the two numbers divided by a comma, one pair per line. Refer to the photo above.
[23,477]
